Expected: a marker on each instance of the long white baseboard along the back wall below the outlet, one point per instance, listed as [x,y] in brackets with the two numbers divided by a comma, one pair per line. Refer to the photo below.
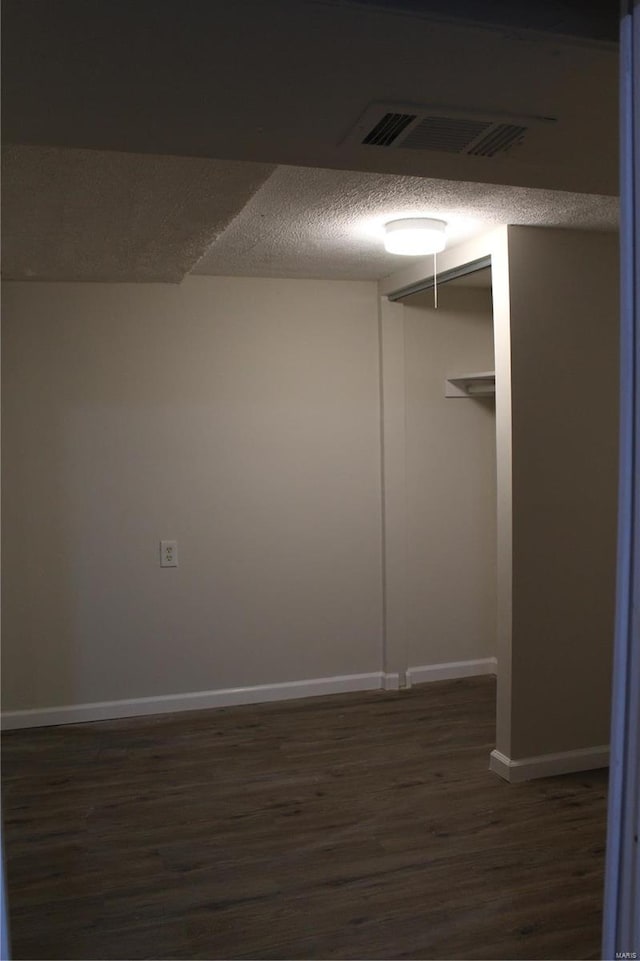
[197,700]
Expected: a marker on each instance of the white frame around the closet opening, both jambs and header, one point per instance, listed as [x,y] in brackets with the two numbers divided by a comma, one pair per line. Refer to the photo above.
[490,249]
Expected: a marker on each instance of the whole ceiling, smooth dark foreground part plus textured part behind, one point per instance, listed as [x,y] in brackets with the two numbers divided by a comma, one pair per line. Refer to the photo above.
[150,139]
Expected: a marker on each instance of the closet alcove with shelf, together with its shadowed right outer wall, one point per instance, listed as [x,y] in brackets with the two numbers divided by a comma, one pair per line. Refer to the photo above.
[500,508]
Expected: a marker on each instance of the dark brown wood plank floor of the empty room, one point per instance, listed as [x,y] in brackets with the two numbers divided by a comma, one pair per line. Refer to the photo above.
[354,826]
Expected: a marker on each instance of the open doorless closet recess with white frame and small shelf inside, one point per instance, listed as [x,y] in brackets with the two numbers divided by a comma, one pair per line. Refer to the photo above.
[446,405]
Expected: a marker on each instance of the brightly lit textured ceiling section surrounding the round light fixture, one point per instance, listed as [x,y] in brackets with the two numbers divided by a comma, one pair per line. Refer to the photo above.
[306,222]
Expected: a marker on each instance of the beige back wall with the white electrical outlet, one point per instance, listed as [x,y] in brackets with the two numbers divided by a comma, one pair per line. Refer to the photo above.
[240,417]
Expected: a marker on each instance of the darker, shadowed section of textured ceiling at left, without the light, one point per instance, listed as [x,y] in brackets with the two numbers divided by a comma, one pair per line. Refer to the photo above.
[91,215]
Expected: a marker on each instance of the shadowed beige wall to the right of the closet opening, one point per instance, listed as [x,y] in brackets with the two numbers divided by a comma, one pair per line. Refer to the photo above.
[564,358]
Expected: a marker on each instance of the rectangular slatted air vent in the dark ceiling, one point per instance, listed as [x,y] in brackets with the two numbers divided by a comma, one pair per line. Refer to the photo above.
[441,129]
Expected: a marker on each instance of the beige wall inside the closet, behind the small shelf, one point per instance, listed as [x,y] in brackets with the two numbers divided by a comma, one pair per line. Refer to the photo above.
[451,480]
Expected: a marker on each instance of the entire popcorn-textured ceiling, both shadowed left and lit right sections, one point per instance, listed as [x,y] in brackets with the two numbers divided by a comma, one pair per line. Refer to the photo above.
[102,216]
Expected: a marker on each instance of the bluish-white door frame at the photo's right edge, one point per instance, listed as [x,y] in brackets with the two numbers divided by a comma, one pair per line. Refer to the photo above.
[621,916]
